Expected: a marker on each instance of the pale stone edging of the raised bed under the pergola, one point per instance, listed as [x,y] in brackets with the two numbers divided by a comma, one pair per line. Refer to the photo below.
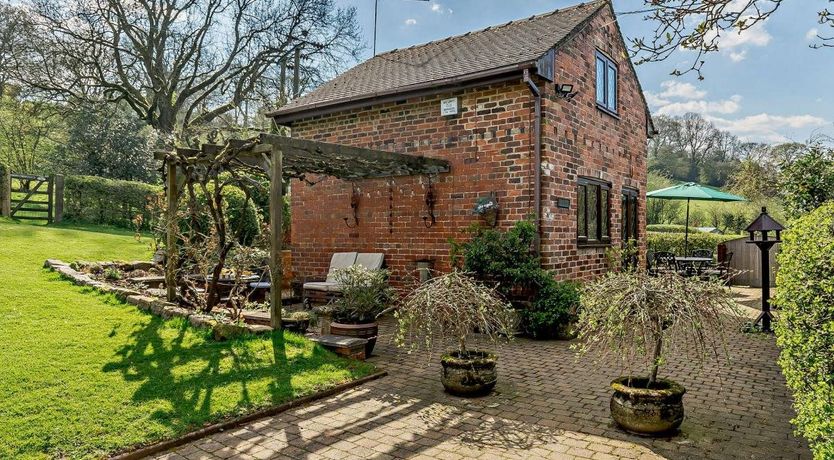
[152,305]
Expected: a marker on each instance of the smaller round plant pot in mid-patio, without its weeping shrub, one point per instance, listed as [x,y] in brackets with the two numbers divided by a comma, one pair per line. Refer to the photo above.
[470,375]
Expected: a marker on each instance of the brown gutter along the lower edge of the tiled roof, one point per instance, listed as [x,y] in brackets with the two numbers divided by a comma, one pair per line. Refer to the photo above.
[498,75]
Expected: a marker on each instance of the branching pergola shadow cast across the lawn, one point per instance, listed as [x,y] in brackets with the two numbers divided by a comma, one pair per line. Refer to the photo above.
[203,381]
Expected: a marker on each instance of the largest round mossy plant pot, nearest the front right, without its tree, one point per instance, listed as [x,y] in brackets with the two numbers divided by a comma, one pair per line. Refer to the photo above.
[647,411]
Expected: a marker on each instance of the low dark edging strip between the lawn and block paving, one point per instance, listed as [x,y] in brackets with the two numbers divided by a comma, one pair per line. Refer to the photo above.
[162,446]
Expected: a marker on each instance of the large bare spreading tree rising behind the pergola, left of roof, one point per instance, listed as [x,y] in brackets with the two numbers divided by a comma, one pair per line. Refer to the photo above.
[180,64]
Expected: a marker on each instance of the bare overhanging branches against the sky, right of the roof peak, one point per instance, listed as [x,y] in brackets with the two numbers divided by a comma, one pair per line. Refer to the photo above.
[698,25]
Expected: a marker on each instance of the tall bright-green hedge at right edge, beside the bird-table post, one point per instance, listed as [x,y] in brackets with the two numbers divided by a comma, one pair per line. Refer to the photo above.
[805,326]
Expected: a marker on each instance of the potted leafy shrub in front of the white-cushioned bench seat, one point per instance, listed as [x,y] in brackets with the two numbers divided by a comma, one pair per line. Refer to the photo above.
[364,295]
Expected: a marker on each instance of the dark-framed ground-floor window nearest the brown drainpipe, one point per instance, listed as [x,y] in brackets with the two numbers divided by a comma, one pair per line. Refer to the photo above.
[593,222]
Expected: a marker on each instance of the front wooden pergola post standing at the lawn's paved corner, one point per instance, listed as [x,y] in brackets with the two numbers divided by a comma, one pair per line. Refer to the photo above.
[276,216]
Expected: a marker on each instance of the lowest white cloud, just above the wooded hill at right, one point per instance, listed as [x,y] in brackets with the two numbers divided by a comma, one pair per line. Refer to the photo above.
[765,127]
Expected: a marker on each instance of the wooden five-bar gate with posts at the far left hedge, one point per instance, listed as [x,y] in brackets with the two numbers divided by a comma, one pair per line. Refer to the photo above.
[28,197]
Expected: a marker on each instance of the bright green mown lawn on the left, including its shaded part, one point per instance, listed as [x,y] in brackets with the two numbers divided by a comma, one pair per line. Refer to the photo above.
[83,375]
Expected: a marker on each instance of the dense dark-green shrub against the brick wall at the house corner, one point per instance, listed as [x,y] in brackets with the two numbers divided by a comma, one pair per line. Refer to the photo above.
[506,259]
